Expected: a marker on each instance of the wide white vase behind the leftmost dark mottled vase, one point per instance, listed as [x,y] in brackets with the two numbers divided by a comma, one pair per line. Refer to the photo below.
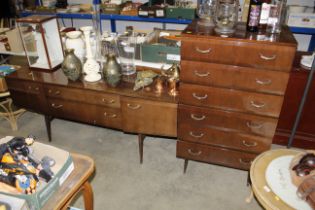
[74,41]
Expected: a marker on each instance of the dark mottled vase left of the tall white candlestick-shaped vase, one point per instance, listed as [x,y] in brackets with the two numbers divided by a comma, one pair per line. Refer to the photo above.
[71,66]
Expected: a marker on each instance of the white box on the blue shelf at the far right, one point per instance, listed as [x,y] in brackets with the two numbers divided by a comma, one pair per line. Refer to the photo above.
[306,20]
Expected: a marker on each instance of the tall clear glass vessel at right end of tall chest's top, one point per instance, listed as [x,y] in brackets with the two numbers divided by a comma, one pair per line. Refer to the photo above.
[276,16]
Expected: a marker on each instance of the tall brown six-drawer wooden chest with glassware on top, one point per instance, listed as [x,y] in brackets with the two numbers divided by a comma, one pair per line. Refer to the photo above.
[231,93]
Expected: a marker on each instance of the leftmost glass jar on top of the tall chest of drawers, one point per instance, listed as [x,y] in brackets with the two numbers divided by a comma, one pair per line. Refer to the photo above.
[205,12]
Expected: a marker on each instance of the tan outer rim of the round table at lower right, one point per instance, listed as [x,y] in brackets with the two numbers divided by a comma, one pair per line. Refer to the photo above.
[268,199]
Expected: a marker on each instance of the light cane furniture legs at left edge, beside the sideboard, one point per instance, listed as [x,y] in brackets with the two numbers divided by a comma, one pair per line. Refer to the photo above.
[7,111]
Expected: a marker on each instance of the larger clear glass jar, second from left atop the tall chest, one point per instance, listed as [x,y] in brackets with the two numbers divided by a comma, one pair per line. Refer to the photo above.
[226,16]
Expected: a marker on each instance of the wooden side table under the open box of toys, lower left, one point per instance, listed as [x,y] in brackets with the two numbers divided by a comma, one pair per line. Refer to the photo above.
[77,181]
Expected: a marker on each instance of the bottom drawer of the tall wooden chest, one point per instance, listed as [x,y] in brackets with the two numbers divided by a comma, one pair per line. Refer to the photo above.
[216,155]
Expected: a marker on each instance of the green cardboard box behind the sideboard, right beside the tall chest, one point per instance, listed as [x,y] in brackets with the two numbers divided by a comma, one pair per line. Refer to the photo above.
[160,50]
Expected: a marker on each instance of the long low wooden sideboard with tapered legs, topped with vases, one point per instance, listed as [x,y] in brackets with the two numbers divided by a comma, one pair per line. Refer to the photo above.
[142,112]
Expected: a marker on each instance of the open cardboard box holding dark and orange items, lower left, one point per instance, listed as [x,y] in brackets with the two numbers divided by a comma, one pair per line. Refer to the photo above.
[62,169]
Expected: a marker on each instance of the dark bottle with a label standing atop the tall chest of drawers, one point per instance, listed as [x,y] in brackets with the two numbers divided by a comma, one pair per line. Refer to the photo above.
[253,15]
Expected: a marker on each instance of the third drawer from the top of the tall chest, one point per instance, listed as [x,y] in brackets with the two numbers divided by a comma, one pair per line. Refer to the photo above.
[230,99]
